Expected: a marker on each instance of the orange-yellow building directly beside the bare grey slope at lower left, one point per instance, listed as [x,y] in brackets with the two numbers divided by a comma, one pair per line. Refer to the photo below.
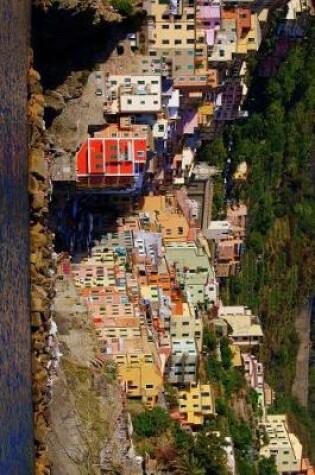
[138,369]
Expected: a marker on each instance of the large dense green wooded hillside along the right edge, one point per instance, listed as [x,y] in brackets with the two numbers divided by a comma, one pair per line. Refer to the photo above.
[277,274]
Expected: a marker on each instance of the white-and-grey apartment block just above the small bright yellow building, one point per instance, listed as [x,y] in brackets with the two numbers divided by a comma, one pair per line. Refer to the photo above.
[182,364]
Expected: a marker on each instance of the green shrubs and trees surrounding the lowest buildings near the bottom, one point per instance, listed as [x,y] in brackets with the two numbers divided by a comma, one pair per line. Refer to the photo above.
[203,453]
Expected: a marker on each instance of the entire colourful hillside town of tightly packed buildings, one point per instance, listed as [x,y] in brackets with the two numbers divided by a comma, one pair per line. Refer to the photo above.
[136,232]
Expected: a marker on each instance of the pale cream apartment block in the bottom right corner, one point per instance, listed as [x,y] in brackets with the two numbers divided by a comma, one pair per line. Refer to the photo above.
[282,444]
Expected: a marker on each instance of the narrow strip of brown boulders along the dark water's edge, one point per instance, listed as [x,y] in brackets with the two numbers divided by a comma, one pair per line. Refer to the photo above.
[42,271]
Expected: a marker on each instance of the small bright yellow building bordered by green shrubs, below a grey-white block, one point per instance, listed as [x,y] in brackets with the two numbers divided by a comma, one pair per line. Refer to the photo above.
[196,404]
